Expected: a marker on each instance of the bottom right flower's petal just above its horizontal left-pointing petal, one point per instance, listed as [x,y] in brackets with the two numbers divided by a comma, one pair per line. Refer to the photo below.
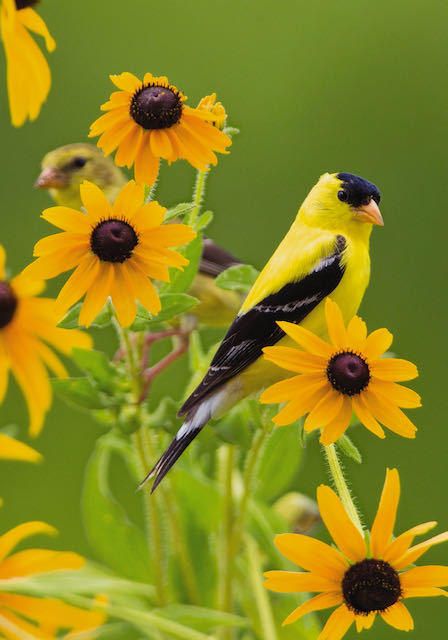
[312,555]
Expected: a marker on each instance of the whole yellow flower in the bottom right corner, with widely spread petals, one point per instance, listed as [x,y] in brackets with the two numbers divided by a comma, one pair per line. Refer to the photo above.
[364,576]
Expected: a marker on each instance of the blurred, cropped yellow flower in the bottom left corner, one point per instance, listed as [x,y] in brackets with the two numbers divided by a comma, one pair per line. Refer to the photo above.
[34,617]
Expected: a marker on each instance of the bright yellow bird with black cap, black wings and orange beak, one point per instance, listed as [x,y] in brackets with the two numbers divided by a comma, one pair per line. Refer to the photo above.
[326,251]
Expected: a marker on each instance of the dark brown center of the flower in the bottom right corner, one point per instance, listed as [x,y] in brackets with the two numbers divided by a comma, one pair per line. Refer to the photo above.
[371,585]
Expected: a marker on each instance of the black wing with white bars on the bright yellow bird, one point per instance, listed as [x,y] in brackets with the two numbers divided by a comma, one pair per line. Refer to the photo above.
[258,328]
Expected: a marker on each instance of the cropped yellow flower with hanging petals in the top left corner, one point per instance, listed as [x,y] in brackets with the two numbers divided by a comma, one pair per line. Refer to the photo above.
[28,73]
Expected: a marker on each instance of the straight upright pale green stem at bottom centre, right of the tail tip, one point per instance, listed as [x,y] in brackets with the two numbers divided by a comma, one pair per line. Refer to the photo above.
[225,569]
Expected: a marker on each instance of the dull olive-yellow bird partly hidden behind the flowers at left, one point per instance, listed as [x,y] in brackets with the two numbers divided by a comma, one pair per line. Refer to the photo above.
[63,171]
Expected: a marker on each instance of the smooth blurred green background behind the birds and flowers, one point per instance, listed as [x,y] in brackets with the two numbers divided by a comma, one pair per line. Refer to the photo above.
[352,85]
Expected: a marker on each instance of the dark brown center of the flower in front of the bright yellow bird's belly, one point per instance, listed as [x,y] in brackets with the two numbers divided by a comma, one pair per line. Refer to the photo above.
[348,373]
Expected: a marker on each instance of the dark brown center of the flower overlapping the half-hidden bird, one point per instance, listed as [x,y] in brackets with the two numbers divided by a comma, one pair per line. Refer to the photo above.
[113,240]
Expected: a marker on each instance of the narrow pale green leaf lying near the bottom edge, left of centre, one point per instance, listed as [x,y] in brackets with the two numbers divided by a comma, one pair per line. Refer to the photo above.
[200,618]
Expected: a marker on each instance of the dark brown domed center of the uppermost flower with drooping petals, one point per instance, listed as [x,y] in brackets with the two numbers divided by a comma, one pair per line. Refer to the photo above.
[156,107]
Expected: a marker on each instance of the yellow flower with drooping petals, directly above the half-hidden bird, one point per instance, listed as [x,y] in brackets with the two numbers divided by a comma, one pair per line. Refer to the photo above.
[149,120]
